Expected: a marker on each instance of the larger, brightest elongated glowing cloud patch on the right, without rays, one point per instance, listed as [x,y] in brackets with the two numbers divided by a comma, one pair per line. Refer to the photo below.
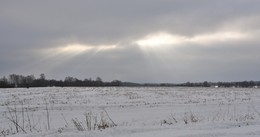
[167,39]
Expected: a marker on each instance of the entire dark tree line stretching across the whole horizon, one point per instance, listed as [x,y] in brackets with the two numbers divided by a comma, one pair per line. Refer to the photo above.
[14,80]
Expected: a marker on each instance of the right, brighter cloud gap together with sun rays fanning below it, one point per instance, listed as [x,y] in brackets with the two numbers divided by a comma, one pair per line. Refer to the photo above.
[162,47]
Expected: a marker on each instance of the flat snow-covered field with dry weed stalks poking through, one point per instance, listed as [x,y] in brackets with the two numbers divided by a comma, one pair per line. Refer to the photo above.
[130,112]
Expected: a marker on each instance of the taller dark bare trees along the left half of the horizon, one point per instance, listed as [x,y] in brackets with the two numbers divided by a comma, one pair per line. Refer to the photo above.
[14,80]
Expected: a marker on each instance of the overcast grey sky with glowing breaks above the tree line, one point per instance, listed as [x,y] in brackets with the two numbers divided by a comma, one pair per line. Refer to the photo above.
[142,41]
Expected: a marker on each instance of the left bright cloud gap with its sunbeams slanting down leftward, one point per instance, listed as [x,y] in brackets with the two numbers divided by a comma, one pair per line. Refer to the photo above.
[58,56]
